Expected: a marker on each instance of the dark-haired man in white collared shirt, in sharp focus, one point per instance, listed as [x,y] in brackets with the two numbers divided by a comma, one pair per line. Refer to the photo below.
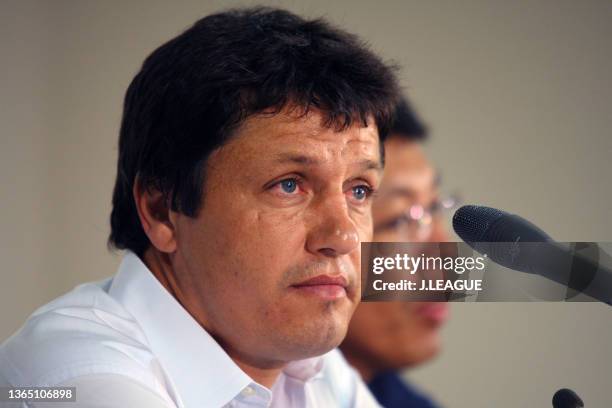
[248,154]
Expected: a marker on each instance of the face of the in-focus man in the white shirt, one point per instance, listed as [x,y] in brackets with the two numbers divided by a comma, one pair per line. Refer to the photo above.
[270,265]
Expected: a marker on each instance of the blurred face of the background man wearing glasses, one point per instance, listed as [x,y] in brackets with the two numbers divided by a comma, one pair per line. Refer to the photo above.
[400,334]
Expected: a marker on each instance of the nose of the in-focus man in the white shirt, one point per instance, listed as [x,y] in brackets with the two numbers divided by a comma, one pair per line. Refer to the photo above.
[333,232]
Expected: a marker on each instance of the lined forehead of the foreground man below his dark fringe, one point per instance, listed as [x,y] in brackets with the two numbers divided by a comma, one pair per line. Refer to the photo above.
[286,130]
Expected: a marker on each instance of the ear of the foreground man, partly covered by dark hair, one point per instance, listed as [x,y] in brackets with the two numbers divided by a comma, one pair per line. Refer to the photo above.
[157,219]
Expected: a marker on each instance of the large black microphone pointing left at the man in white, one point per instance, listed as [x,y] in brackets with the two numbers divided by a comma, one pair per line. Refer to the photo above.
[502,236]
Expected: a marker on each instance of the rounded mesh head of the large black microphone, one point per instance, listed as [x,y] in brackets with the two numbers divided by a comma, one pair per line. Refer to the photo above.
[472,222]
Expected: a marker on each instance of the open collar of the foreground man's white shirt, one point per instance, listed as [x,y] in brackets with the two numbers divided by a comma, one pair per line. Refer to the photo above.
[201,371]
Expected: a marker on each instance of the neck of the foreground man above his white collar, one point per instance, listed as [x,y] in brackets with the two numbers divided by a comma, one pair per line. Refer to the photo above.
[160,265]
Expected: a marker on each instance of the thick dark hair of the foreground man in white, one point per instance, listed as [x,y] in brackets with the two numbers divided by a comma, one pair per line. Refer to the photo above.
[194,90]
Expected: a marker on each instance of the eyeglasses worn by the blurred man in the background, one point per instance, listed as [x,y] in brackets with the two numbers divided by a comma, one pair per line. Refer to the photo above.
[417,220]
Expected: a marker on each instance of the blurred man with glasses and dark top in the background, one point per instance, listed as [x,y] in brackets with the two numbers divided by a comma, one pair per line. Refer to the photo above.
[406,209]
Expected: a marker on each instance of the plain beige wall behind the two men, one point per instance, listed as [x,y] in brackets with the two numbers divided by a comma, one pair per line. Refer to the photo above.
[518,95]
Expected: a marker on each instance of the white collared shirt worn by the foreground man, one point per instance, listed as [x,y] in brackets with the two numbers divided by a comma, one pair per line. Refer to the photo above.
[126,342]
